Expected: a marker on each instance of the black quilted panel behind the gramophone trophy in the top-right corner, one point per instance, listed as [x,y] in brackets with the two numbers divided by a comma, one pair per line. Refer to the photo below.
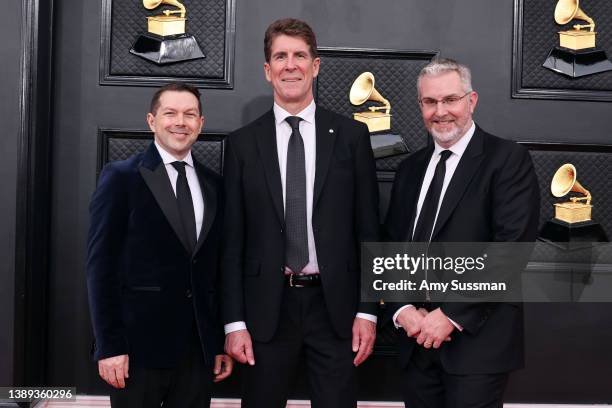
[540,35]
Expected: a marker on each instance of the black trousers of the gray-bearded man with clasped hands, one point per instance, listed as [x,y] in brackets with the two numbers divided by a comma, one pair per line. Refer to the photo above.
[425,384]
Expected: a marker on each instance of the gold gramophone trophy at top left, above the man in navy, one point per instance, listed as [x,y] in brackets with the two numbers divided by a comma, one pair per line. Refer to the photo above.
[166,41]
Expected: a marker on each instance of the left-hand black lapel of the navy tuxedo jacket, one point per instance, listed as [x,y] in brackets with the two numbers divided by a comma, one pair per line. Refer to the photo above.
[154,173]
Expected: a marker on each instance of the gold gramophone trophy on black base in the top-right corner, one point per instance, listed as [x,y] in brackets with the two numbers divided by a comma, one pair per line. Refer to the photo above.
[576,54]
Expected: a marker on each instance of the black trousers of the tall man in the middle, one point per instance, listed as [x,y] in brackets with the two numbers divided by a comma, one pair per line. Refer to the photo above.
[304,330]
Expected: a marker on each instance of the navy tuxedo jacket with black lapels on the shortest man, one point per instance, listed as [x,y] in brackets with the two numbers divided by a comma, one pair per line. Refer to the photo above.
[144,286]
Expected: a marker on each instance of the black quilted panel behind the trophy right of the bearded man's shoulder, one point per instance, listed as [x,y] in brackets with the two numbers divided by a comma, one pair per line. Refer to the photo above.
[593,171]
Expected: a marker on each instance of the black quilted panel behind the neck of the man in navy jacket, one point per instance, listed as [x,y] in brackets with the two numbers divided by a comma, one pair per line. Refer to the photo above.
[119,145]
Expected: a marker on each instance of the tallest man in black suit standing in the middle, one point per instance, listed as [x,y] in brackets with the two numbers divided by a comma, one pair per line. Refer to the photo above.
[301,195]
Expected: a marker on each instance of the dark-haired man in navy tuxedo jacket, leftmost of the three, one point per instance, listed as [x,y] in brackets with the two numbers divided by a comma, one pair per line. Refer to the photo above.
[152,265]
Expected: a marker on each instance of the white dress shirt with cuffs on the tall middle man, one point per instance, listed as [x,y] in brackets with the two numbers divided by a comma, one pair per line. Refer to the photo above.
[309,136]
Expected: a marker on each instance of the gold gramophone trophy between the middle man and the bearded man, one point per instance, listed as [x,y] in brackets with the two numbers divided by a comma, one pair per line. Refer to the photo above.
[384,144]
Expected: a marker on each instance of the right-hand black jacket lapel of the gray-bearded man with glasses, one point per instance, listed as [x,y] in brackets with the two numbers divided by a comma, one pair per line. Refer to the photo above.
[468,165]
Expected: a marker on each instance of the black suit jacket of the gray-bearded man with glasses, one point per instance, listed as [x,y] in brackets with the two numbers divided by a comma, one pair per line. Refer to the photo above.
[492,197]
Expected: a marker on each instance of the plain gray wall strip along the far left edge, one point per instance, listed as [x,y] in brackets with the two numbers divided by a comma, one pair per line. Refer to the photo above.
[10,55]
